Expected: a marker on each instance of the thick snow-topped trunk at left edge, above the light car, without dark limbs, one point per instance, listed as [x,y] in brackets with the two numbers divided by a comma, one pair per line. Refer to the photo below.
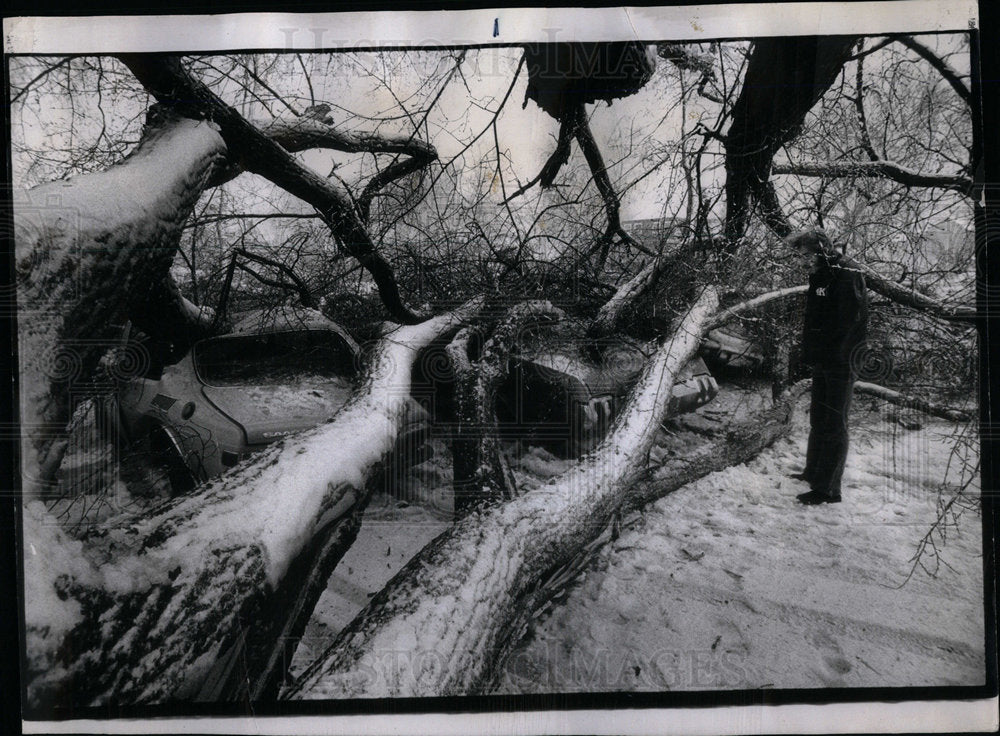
[87,250]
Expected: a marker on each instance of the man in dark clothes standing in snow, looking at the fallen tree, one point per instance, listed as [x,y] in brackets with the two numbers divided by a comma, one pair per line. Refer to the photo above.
[836,322]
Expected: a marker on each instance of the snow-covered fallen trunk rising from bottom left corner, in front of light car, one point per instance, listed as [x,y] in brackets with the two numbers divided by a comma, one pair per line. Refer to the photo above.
[163,606]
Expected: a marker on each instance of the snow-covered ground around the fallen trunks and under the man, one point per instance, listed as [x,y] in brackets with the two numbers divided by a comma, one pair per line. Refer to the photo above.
[729,583]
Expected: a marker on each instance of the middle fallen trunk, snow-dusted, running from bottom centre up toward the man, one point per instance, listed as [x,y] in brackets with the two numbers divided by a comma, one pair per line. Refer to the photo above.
[445,619]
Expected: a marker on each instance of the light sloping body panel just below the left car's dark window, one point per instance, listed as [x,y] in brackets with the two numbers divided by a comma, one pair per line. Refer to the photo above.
[268,412]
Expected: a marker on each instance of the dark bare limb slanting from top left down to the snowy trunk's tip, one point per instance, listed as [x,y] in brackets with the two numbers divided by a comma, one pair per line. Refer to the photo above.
[165,78]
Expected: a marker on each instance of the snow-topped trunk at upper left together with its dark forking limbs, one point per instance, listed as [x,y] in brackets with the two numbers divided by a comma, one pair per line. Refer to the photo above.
[96,249]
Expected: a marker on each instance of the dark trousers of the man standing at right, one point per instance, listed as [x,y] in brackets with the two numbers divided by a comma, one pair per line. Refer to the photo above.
[828,415]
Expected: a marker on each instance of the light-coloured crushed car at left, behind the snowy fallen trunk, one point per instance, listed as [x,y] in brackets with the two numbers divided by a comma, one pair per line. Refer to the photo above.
[277,373]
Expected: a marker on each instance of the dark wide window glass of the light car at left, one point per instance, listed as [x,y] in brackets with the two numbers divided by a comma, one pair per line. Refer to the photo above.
[271,358]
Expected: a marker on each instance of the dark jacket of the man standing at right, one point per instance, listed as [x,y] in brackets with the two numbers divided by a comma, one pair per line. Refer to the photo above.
[836,318]
